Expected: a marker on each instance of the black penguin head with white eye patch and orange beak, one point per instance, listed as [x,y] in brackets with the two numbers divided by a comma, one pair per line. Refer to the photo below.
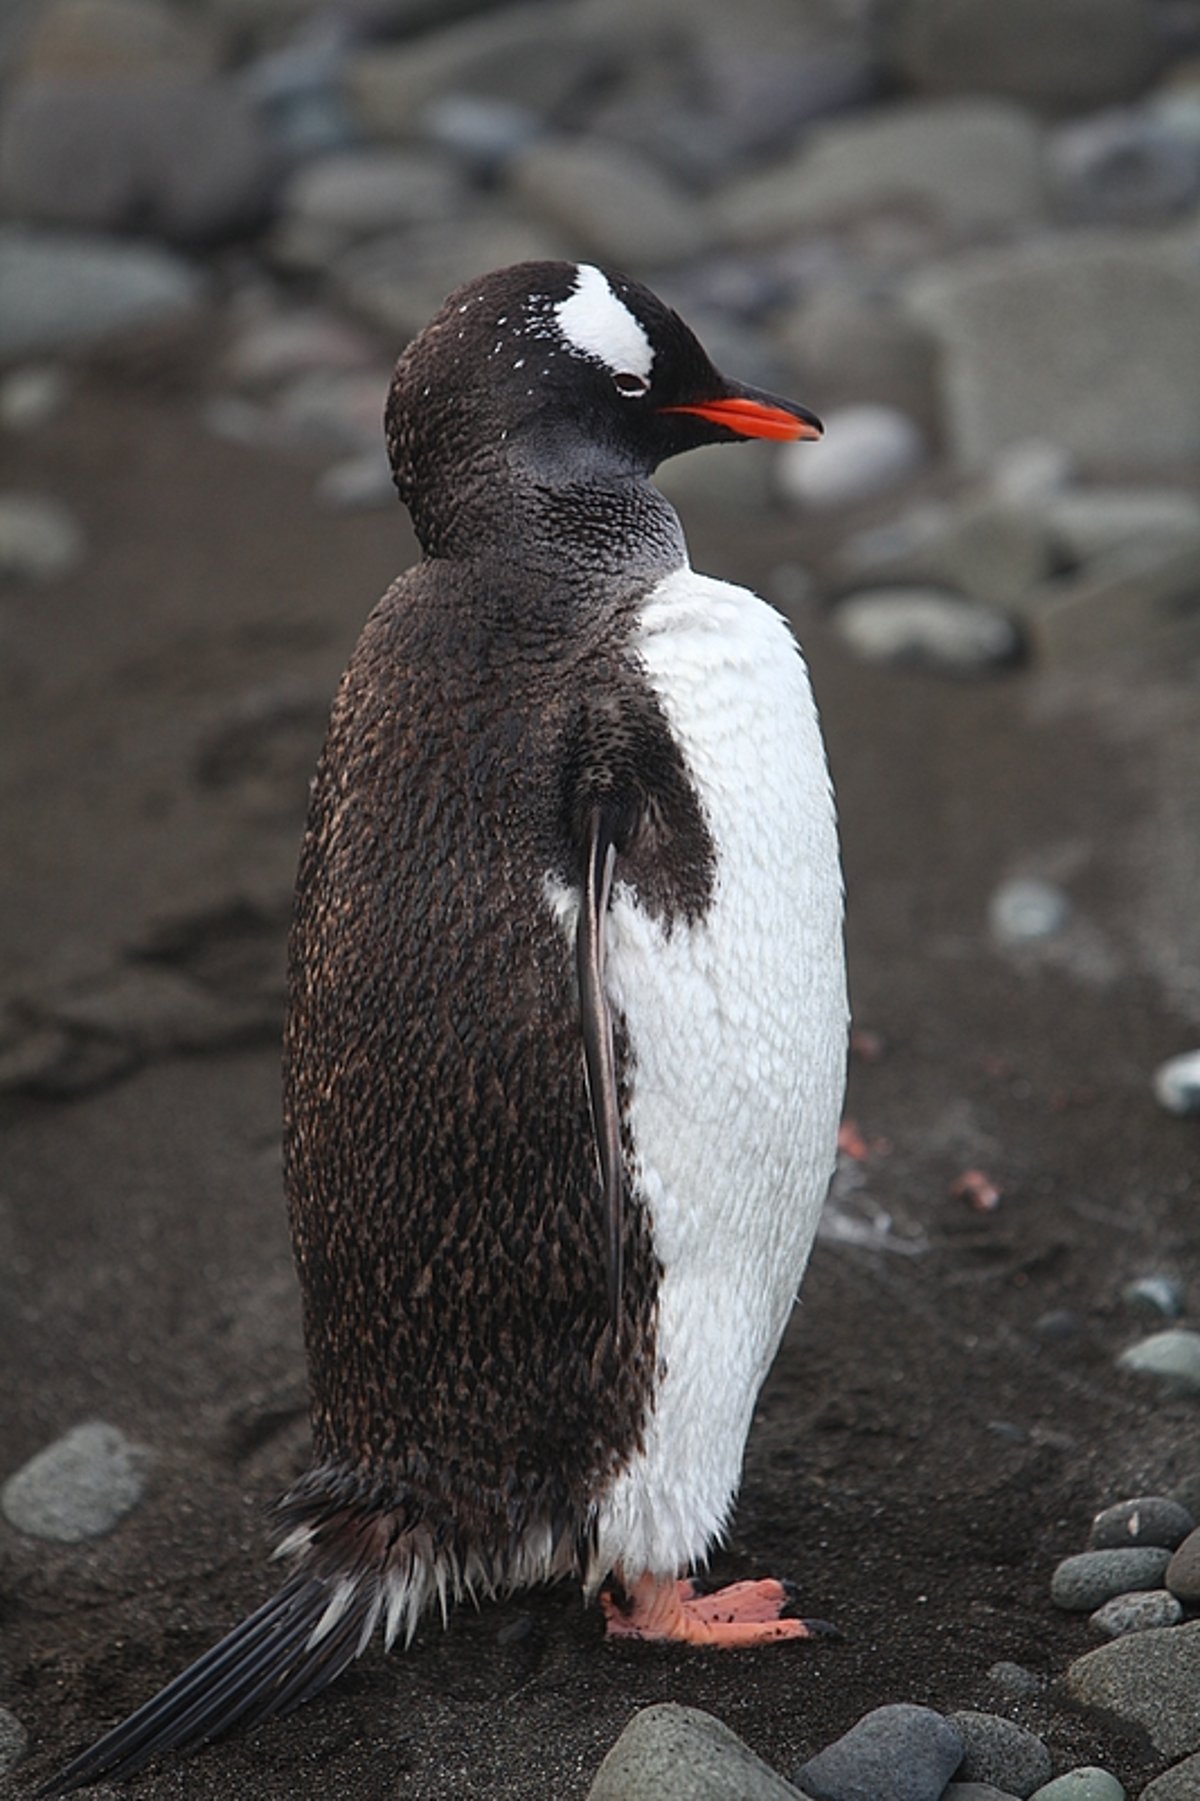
[561,374]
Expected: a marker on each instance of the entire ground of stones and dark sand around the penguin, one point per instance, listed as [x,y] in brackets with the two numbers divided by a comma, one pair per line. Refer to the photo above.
[967,235]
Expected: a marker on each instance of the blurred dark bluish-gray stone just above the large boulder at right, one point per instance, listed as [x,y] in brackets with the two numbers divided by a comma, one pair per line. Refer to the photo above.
[1122,168]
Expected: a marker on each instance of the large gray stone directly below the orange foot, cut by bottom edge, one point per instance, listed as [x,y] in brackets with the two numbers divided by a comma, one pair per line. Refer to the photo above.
[673,1753]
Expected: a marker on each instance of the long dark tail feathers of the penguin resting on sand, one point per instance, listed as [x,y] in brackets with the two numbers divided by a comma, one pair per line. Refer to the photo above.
[271,1663]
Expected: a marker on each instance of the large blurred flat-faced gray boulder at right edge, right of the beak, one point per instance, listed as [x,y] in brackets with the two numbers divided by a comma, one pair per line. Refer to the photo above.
[1087,339]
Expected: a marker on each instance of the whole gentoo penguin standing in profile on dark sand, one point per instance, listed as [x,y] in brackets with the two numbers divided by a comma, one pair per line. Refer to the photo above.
[567,1031]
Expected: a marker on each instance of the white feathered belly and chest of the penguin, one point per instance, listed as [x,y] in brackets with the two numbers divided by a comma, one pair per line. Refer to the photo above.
[738,1029]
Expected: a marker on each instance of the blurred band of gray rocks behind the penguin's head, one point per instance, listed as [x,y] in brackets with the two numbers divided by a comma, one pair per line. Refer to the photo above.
[968,235]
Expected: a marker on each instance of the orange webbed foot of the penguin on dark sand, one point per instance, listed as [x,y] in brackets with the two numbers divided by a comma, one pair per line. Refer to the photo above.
[745,1615]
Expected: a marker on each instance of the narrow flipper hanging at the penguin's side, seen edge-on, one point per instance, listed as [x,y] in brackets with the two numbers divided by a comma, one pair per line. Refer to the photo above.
[597,1026]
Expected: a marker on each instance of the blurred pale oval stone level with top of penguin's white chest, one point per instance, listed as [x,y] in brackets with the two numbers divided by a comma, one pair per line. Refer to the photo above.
[927,629]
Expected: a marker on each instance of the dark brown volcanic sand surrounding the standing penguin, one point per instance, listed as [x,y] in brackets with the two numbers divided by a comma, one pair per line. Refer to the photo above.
[923,1453]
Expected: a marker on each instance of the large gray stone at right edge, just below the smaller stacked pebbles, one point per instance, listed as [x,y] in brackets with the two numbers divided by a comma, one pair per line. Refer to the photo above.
[1149,1679]
